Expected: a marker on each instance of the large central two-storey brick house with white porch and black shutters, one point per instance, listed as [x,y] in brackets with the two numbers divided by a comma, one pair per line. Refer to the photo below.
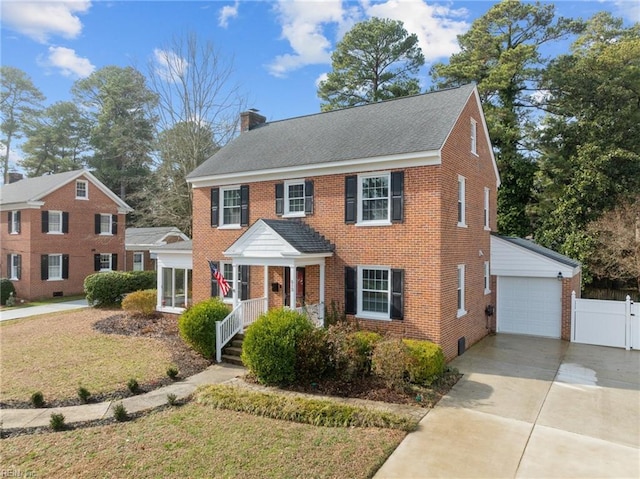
[385,210]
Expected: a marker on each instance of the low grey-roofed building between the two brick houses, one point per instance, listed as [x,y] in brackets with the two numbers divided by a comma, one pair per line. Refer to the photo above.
[139,242]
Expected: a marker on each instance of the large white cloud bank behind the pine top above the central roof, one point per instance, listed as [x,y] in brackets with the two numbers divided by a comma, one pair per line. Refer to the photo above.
[305,25]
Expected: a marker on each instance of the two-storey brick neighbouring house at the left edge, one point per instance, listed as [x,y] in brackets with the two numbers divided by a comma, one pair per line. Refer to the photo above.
[58,229]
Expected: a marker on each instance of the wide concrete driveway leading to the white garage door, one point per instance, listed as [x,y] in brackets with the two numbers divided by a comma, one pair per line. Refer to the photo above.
[530,407]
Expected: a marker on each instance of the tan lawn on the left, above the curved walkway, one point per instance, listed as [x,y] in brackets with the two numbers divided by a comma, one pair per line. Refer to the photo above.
[56,354]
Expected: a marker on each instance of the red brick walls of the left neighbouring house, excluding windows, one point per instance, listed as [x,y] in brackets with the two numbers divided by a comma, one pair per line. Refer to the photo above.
[80,243]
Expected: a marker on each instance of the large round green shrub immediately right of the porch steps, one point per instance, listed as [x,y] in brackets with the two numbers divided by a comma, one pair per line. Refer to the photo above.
[269,346]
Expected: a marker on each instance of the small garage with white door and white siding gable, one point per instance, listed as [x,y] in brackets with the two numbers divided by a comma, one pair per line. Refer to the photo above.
[533,288]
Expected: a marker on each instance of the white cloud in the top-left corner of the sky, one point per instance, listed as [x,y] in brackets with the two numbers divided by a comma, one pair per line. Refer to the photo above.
[41,19]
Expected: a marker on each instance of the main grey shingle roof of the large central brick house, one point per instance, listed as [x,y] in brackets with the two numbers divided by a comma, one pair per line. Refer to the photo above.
[405,125]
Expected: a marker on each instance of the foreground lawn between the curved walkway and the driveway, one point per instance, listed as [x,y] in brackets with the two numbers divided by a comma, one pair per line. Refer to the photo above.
[196,440]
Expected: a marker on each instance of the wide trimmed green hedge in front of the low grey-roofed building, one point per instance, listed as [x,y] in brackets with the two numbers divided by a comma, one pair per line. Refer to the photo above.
[109,288]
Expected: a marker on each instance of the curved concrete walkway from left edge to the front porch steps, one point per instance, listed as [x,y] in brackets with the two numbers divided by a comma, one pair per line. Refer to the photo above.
[21,418]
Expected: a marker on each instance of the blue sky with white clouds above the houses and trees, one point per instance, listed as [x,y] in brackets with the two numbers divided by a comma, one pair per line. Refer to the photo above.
[280,49]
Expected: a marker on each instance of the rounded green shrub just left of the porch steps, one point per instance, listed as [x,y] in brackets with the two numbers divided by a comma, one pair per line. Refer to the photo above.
[197,325]
